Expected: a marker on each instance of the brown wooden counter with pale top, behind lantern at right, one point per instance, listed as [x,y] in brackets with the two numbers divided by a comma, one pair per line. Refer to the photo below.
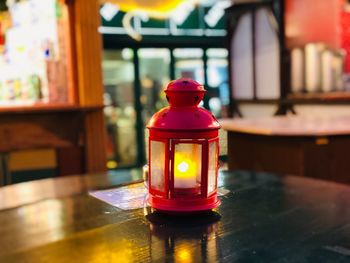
[306,146]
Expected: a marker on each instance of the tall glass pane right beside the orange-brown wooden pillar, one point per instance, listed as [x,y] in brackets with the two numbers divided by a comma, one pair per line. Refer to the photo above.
[118,79]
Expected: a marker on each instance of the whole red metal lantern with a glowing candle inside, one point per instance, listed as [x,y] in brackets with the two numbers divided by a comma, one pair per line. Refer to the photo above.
[183,152]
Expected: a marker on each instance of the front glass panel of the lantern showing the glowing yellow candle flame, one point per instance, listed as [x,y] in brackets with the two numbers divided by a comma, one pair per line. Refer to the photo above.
[187,165]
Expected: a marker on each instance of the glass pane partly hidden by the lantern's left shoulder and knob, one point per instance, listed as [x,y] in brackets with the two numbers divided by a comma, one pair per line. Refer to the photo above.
[154,75]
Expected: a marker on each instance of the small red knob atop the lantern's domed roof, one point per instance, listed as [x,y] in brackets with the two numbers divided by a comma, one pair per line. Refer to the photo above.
[184,93]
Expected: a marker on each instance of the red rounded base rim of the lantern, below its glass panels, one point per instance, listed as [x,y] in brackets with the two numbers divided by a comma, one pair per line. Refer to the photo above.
[184,206]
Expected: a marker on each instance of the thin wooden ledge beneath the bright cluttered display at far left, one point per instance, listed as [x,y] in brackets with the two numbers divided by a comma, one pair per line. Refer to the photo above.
[46,108]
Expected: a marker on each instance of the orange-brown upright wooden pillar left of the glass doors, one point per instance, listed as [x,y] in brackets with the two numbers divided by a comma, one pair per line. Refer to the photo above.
[88,46]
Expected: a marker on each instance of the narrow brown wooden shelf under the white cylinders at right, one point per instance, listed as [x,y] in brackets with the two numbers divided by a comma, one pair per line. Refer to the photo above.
[336,97]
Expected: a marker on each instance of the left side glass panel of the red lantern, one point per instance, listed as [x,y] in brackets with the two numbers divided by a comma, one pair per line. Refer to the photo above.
[157,163]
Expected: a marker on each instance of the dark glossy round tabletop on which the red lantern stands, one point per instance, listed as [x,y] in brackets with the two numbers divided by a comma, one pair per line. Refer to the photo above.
[264,218]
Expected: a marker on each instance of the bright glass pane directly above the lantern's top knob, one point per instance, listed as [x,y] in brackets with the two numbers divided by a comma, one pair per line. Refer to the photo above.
[189,64]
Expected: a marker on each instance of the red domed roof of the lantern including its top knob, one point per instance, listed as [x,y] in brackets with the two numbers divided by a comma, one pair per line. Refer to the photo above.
[183,114]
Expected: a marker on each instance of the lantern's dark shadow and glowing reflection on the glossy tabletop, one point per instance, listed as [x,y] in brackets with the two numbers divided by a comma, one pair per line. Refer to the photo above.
[184,238]
